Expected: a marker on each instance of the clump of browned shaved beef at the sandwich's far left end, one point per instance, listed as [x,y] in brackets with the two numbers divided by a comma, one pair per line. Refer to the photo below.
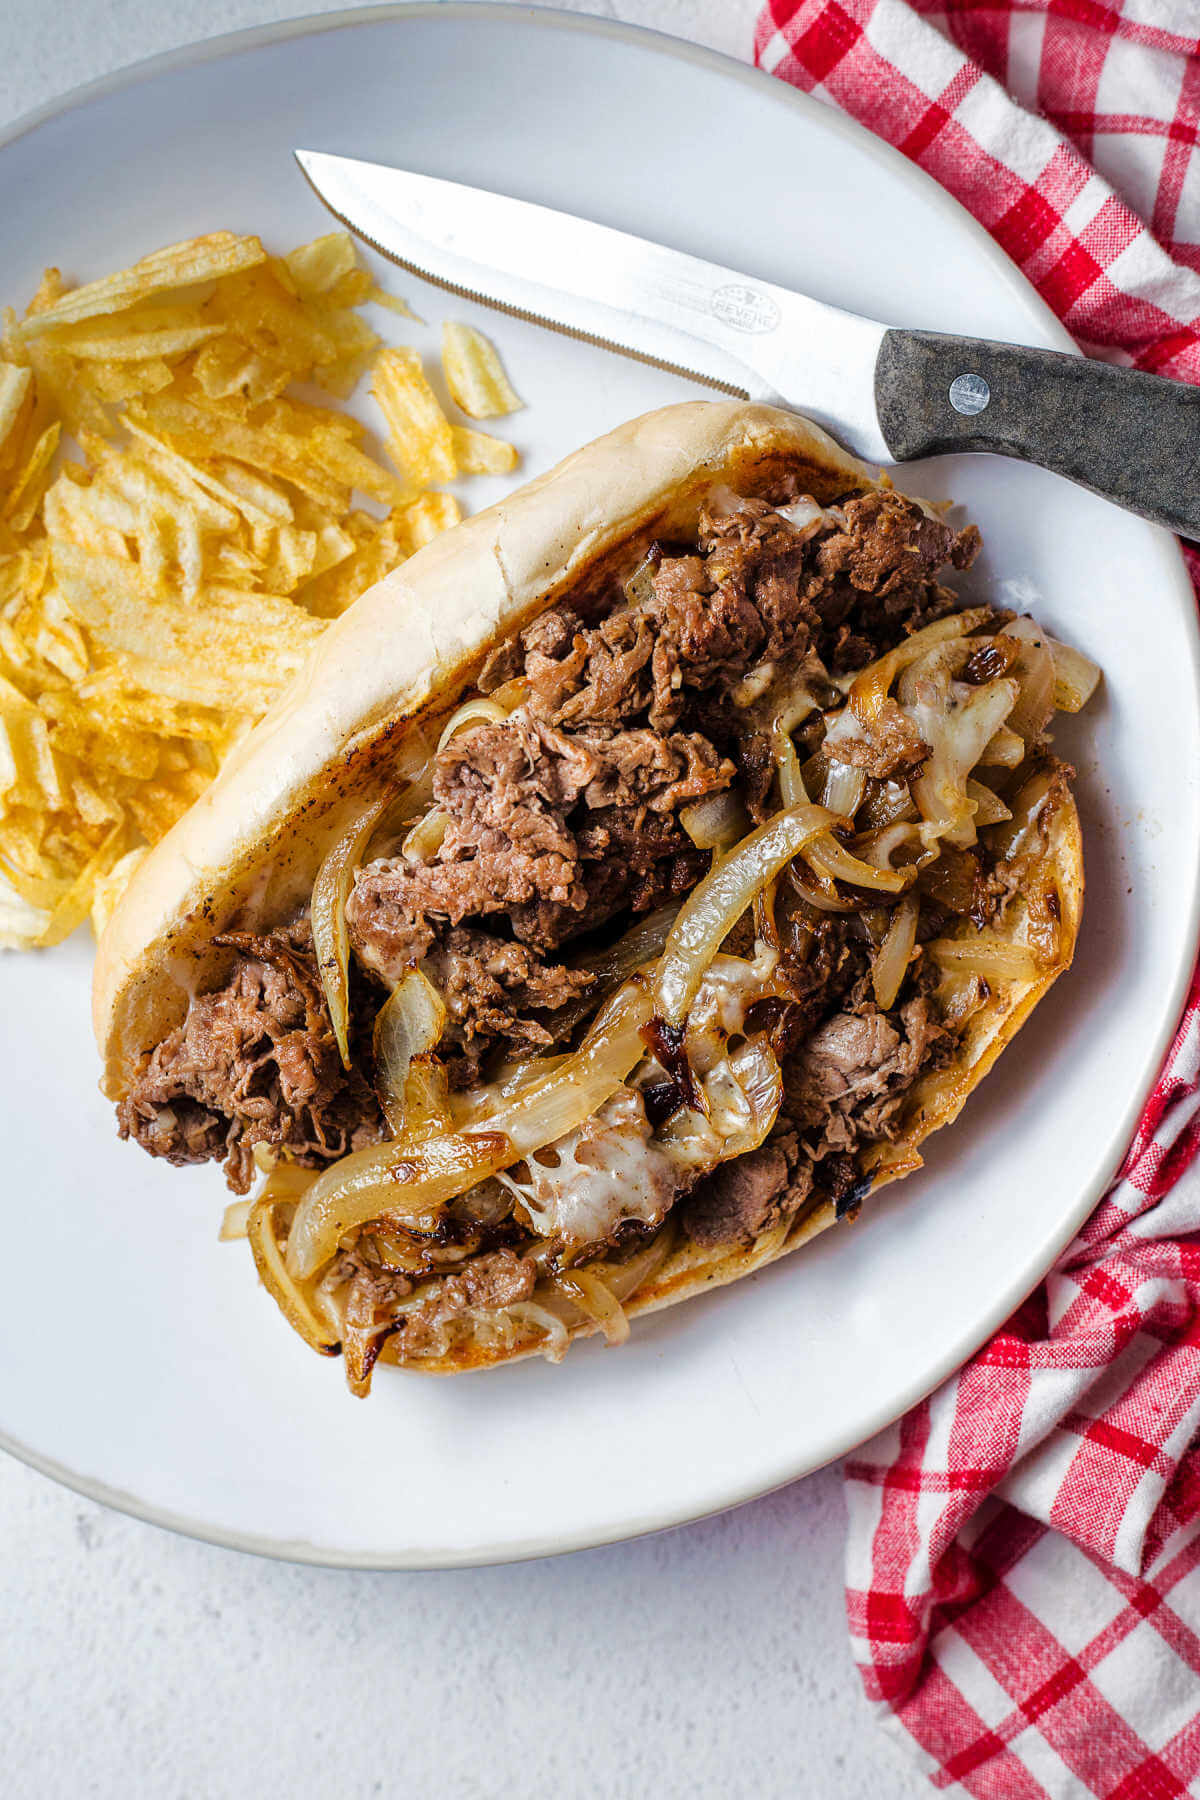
[253,1063]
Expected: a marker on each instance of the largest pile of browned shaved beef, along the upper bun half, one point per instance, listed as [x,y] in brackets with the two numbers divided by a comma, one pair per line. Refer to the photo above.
[568,813]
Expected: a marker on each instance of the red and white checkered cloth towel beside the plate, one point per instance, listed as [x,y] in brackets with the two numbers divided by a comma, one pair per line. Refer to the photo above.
[1025,1547]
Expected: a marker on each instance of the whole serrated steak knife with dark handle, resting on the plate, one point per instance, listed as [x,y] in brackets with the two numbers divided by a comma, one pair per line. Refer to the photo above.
[890,395]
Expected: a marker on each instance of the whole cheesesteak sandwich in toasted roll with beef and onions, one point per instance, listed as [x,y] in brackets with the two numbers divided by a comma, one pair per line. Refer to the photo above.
[625,890]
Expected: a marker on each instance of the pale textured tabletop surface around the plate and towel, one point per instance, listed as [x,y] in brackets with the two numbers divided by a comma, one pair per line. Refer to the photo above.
[704,1662]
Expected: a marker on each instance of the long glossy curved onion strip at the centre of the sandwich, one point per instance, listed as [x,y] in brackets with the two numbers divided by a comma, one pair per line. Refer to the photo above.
[722,897]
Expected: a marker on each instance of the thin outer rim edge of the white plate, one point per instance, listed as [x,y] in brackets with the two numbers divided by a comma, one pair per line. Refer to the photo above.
[1174,568]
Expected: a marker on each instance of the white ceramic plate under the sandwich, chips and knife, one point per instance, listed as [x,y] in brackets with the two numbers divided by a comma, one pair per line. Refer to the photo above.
[143,1363]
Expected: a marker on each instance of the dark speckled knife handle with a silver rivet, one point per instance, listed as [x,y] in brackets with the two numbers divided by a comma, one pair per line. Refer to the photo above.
[1131,436]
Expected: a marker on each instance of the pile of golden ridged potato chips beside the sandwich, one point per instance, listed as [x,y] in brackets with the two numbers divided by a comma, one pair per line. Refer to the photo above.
[177,525]
